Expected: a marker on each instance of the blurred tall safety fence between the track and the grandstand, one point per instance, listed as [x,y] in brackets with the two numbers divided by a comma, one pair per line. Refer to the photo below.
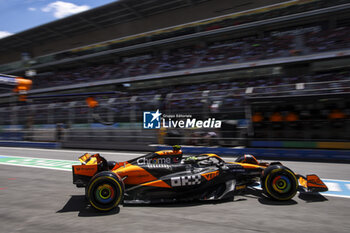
[118,120]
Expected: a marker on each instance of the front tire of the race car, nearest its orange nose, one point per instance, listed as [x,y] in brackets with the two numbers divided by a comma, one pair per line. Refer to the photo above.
[279,183]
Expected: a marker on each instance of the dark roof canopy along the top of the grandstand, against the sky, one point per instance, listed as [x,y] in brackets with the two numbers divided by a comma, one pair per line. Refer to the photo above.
[116,12]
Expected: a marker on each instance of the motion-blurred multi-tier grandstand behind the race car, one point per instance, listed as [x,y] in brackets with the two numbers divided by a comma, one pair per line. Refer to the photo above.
[277,73]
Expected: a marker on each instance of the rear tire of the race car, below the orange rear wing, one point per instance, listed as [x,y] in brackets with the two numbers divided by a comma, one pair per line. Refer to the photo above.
[105,191]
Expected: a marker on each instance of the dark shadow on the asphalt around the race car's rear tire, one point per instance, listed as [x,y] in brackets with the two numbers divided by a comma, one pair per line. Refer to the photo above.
[78,203]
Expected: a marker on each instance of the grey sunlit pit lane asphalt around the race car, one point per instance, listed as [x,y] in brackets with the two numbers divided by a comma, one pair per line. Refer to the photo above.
[39,200]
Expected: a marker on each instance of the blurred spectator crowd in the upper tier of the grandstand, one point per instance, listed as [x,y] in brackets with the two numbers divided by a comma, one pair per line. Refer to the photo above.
[196,56]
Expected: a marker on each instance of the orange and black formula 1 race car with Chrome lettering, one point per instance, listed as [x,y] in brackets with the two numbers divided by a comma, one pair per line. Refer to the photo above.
[167,176]
